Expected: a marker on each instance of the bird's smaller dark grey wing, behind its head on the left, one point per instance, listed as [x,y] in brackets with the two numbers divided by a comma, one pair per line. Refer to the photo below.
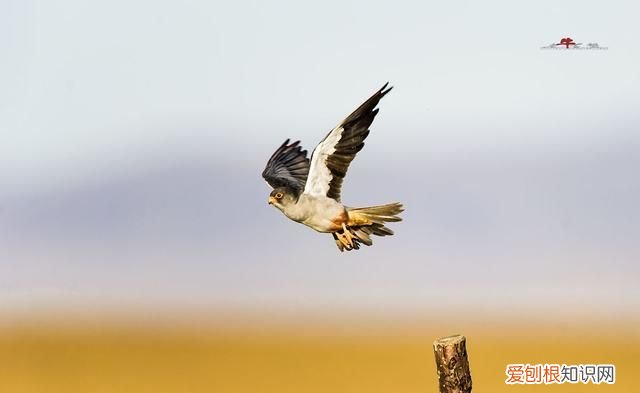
[288,166]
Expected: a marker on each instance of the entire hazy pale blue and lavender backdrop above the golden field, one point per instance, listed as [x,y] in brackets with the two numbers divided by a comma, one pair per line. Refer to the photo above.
[126,124]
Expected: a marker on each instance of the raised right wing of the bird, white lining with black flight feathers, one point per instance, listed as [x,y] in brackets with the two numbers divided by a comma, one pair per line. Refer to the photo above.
[331,158]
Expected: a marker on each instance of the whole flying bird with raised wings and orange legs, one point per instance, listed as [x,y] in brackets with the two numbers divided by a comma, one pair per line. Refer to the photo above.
[308,190]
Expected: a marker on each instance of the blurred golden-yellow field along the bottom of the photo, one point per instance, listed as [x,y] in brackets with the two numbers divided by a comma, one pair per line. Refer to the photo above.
[236,355]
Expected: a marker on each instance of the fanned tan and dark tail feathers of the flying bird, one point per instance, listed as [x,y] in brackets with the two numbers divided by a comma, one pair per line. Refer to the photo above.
[366,221]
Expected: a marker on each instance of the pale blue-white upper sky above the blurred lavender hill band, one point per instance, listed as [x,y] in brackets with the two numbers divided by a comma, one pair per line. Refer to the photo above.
[90,86]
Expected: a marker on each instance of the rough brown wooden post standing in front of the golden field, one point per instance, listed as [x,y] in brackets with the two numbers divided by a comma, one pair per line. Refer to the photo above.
[452,364]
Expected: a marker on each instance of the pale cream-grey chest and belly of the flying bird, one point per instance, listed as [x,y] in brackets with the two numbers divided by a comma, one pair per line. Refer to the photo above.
[319,213]
